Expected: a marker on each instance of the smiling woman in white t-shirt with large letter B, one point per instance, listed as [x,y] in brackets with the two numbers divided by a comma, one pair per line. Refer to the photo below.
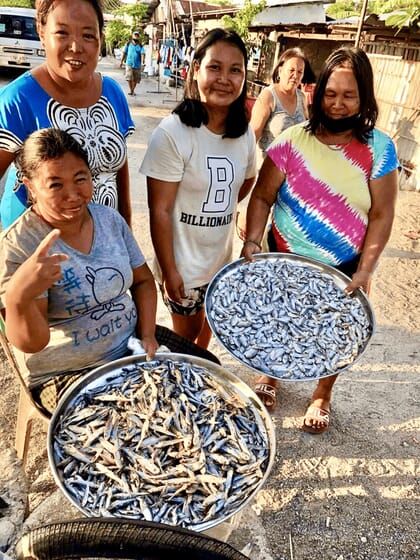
[199,163]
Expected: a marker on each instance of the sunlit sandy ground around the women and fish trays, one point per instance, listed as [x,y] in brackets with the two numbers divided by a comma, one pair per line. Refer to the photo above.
[349,494]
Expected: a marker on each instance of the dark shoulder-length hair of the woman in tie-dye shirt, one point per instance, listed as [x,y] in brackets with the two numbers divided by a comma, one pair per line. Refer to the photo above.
[358,60]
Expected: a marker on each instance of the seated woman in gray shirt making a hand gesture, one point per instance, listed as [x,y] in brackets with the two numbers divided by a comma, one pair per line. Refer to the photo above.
[74,285]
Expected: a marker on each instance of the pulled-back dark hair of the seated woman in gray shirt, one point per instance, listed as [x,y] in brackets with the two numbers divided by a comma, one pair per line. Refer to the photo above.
[44,145]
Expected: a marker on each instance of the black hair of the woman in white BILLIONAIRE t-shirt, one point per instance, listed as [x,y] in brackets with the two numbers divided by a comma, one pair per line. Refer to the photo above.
[192,111]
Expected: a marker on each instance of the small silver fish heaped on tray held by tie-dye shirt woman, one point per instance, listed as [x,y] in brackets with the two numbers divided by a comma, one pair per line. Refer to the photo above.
[288,320]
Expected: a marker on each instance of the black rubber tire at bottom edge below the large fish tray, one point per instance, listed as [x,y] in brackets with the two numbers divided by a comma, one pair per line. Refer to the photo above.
[120,538]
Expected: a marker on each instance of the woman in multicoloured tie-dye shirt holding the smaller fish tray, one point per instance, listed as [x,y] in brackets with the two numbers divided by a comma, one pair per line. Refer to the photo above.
[333,184]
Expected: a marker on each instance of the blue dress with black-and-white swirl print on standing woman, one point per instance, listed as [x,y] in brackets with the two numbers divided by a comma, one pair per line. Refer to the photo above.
[101,129]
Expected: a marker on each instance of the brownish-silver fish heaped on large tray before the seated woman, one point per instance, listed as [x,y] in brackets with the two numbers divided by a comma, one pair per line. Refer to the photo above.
[161,440]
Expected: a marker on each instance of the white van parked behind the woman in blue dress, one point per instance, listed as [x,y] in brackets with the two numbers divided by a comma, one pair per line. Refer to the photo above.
[20,46]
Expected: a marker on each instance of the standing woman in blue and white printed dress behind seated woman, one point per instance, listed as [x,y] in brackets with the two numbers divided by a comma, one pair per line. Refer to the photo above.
[66,92]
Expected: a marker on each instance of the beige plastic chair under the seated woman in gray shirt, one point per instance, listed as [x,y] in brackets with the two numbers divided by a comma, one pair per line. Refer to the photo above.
[28,410]
